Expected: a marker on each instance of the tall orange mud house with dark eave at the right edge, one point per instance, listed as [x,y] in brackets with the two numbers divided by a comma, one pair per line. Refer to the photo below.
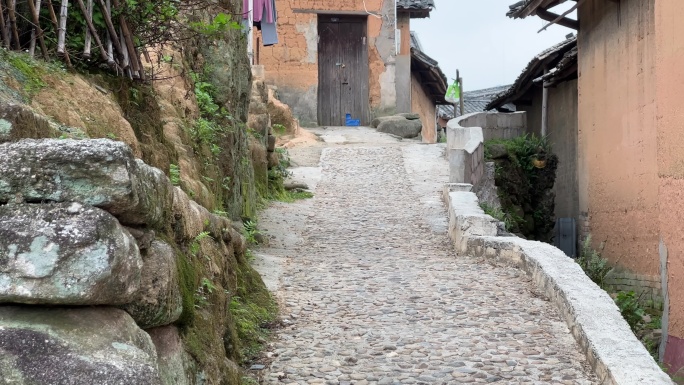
[631,143]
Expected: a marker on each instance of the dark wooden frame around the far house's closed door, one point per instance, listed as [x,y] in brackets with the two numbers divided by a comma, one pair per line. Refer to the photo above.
[332,17]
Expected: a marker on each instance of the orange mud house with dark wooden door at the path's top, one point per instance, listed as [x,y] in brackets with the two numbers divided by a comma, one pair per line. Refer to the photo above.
[338,57]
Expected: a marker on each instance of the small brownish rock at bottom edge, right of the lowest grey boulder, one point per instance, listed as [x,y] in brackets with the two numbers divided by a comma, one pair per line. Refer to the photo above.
[173,361]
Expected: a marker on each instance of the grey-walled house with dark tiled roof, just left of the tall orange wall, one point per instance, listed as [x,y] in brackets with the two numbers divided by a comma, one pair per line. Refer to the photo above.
[549,82]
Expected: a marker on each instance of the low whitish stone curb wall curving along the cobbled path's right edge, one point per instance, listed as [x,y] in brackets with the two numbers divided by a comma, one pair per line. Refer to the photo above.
[615,354]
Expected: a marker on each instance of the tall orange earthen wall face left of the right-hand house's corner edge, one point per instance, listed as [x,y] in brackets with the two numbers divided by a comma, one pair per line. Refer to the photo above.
[617,146]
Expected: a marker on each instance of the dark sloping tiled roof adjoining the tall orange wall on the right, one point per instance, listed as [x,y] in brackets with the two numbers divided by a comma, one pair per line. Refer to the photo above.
[535,69]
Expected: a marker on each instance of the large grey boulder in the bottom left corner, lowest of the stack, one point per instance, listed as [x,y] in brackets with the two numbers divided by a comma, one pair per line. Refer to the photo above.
[80,346]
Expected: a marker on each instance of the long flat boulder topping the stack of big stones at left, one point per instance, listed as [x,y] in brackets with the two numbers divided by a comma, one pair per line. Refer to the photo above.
[100,172]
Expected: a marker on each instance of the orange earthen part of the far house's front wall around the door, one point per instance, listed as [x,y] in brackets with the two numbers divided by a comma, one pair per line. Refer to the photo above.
[292,65]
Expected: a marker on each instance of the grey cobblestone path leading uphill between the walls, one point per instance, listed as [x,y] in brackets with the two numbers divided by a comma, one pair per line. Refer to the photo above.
[373,296]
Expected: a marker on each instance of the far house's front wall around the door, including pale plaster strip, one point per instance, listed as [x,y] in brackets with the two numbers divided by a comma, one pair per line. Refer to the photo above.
[292,65]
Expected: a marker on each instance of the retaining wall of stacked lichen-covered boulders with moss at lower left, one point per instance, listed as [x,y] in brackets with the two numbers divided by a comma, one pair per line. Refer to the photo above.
[83,223]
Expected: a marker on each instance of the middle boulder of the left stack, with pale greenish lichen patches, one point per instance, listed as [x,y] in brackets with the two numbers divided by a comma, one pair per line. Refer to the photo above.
[66,254]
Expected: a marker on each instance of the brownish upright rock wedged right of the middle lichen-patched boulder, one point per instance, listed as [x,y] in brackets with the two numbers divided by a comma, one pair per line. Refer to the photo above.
[159,301]
